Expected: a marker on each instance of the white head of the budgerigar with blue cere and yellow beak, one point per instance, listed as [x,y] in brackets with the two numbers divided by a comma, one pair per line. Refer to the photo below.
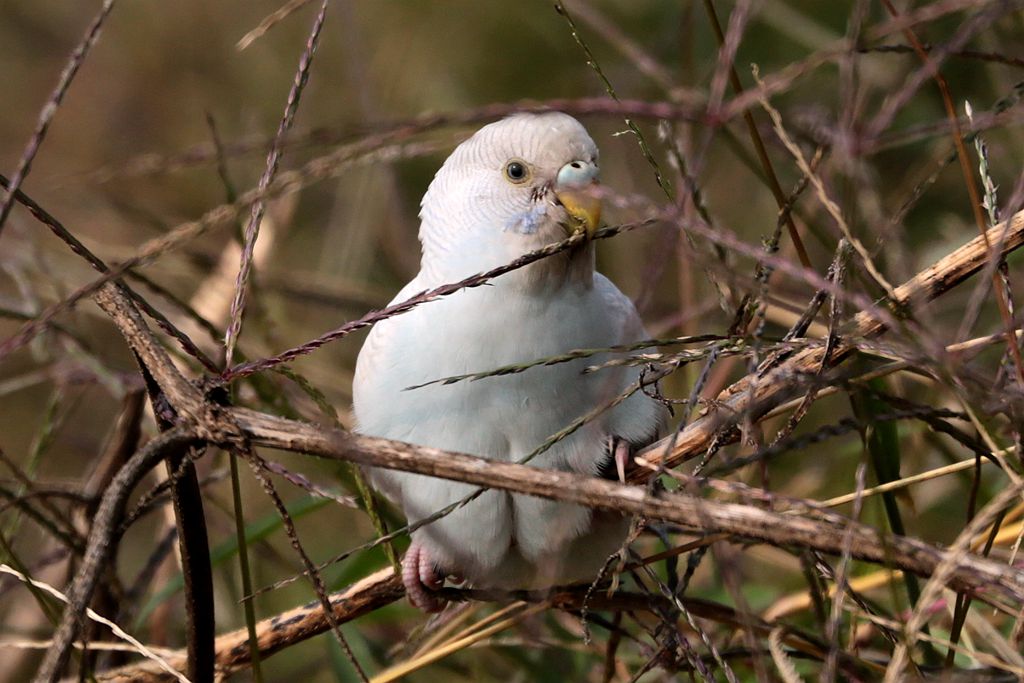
[517,185]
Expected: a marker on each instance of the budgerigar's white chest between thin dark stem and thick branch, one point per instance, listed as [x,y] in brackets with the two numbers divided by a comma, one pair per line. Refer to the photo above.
[504,417]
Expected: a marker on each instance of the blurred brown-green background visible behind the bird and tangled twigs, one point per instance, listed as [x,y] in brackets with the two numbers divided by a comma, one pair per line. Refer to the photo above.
[134,153]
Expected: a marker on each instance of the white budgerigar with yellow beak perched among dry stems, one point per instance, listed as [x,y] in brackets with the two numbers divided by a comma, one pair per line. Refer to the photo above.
[517,185]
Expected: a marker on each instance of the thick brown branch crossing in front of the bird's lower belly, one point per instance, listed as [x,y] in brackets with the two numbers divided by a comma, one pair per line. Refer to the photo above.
[690,511]
